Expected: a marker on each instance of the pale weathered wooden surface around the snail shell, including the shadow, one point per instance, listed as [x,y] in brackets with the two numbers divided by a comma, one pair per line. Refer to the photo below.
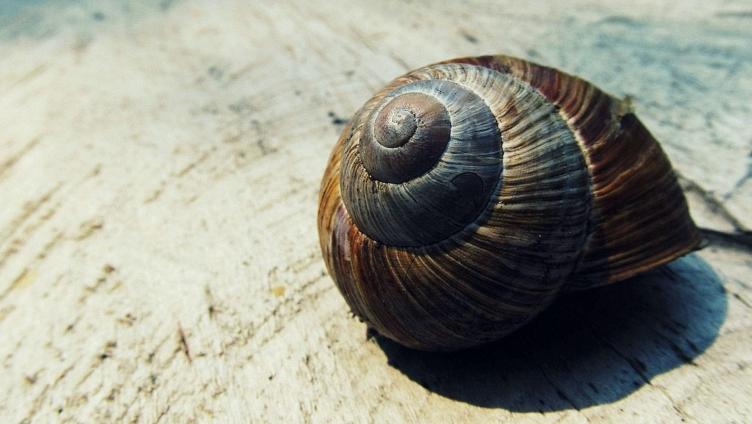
[159,170]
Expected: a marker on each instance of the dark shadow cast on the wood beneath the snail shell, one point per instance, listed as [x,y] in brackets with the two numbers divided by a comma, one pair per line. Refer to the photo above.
[589,348]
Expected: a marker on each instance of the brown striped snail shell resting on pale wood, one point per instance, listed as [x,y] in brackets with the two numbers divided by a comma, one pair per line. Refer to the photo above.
[466,195]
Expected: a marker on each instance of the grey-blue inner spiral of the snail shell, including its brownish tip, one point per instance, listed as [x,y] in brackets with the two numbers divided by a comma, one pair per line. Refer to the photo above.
[423,165]
